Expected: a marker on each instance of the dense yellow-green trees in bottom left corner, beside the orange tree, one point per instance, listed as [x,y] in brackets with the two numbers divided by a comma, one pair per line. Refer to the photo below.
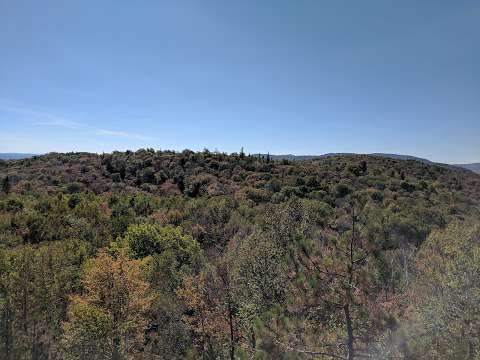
[34,286]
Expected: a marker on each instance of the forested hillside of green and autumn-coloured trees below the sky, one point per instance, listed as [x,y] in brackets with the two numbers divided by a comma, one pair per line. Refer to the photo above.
[201,255]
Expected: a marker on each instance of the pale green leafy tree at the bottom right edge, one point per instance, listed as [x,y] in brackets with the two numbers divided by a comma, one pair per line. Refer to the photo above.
[446,294]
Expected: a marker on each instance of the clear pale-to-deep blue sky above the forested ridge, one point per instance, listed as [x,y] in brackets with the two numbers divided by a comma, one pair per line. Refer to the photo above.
[278,76]
